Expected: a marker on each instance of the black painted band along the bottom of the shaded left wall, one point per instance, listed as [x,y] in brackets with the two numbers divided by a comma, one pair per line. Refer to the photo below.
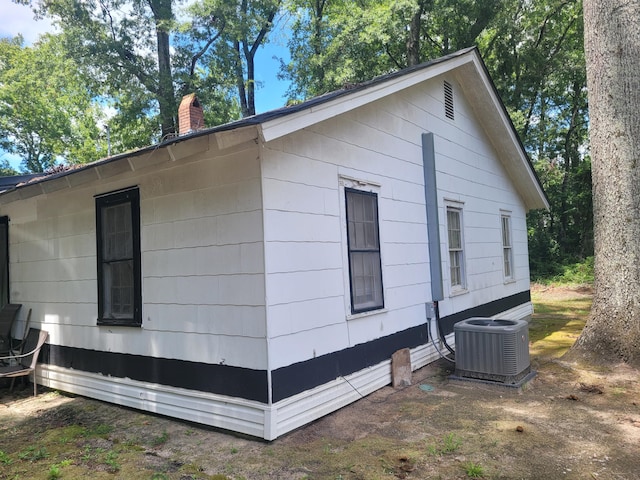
[221,379]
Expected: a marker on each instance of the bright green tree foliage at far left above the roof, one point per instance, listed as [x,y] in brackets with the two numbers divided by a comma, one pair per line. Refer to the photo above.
[46,111]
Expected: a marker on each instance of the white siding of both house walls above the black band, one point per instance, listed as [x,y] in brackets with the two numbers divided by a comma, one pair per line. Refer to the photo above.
[204,264]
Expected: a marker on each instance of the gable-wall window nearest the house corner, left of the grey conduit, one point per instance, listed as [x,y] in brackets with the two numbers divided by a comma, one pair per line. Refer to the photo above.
[363,244]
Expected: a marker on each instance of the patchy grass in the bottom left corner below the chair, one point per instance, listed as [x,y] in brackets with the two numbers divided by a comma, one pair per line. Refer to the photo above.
[73,442]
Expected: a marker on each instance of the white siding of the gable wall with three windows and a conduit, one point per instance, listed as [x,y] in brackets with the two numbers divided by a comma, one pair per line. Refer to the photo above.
[380,145]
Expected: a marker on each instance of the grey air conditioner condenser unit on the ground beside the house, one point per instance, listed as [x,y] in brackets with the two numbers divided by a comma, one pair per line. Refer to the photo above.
[492,349]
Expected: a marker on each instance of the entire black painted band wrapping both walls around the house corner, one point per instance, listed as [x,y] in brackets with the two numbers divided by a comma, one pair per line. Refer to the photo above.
[252,384]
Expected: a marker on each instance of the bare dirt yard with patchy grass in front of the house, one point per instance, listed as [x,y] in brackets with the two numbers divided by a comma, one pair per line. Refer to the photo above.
[570,422]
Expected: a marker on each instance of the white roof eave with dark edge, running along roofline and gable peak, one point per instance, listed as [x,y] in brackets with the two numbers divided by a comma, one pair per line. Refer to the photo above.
[472,74]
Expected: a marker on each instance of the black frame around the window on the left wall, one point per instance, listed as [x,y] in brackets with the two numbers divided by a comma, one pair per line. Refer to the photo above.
[128,195]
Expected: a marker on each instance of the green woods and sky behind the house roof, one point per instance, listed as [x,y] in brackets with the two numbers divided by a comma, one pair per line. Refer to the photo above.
[123,65]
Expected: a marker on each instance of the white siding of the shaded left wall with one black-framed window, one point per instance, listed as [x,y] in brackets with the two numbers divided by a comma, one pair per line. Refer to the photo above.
[202,261]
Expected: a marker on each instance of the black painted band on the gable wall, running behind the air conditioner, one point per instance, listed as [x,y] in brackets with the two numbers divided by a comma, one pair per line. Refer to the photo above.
[293,379]
